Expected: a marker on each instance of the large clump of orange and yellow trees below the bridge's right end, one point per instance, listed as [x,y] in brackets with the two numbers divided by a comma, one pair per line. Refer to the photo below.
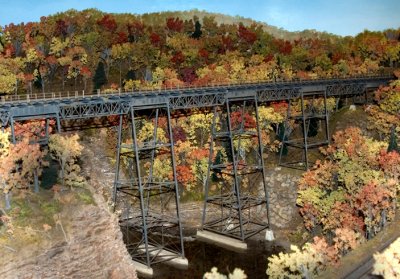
[356,188]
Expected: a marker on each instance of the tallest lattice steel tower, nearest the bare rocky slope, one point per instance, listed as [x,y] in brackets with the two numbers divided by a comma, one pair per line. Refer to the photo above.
[148,200]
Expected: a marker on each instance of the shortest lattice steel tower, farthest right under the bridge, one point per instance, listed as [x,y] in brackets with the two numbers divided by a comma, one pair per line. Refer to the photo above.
[309,115]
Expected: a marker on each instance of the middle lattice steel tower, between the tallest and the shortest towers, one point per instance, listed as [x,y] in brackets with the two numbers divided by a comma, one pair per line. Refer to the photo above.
[236,191]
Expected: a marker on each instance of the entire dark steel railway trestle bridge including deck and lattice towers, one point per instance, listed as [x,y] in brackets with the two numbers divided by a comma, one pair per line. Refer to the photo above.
[233,200]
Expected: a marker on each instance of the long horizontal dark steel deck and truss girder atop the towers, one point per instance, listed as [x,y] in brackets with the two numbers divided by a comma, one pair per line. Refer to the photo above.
[75,106]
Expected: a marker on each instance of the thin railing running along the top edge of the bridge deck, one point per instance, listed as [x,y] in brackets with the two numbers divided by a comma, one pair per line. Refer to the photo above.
[169,89]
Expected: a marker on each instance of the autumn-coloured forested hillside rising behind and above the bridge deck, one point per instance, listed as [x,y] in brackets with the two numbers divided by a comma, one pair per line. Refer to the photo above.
[91,49]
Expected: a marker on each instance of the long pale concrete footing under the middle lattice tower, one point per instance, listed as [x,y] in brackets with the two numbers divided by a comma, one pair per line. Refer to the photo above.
[221,240]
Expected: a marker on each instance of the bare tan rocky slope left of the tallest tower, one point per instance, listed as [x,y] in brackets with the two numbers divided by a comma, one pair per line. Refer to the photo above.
[92,246]
